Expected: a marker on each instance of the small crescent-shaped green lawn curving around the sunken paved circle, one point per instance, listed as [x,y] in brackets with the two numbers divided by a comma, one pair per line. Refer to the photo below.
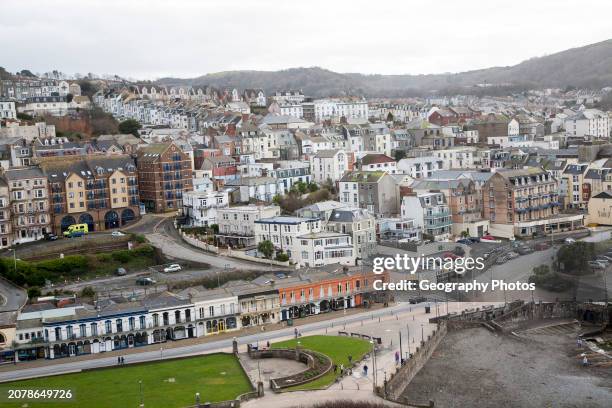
[335,347]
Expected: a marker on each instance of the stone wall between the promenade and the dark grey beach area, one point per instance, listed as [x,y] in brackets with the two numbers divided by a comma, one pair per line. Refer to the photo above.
[399,380]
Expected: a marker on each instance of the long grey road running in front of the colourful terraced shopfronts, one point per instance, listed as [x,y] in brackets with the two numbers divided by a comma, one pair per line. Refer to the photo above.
[389,315]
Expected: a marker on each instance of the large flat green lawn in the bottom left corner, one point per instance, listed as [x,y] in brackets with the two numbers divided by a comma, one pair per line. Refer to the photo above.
[166,384]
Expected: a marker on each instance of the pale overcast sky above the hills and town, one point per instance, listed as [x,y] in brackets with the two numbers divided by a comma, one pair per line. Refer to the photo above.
[147,39]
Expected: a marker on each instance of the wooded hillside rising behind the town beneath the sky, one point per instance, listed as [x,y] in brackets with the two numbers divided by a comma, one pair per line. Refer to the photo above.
[588,66]
